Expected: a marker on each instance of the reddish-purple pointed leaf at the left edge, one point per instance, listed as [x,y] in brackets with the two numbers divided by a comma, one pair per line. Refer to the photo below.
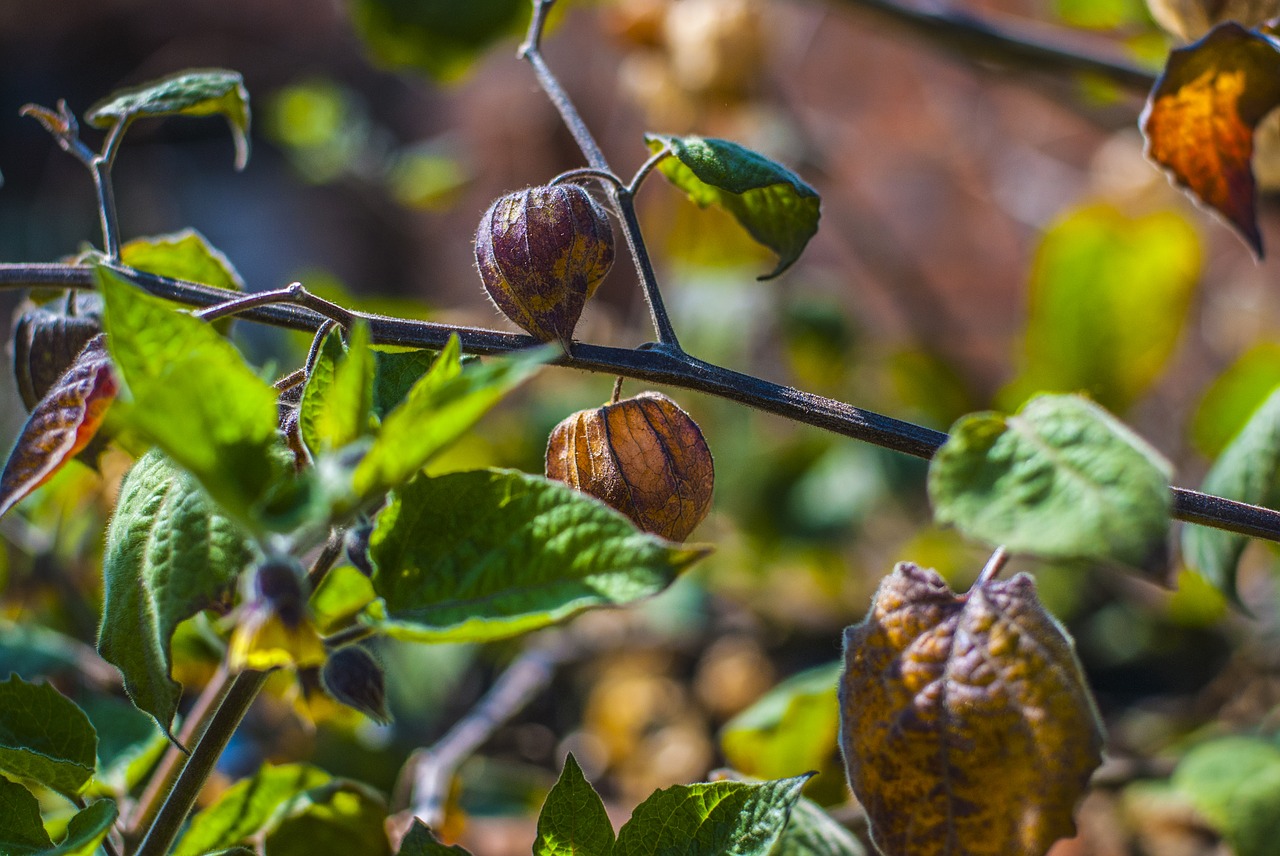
[62,424]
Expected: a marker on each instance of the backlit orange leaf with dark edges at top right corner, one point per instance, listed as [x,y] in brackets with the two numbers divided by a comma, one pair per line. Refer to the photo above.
[1201,117]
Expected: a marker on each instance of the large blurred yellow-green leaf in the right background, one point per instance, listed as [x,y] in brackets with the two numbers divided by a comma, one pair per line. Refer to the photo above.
[1098,271]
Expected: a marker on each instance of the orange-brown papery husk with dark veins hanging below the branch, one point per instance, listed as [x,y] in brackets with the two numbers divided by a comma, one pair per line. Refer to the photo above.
[644,457]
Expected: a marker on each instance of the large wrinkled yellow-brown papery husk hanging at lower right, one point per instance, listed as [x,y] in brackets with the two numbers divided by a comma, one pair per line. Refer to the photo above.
[966,721]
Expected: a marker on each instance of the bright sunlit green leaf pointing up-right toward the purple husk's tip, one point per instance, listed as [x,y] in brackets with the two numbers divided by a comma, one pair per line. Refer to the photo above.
[440,409]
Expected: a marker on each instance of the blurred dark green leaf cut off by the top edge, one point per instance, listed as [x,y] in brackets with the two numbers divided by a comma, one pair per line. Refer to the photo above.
[440,38]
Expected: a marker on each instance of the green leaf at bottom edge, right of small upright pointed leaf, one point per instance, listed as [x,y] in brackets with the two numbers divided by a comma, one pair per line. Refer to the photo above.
[711,820]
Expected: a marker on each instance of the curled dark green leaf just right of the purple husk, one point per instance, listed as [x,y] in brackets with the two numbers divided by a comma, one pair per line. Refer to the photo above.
[769,200]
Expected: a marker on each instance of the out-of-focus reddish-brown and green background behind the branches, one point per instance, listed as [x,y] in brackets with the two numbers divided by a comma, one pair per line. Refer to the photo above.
[985,236]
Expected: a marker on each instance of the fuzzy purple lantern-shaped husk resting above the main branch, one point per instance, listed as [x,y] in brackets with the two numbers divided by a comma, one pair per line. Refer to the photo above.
[542,254]
